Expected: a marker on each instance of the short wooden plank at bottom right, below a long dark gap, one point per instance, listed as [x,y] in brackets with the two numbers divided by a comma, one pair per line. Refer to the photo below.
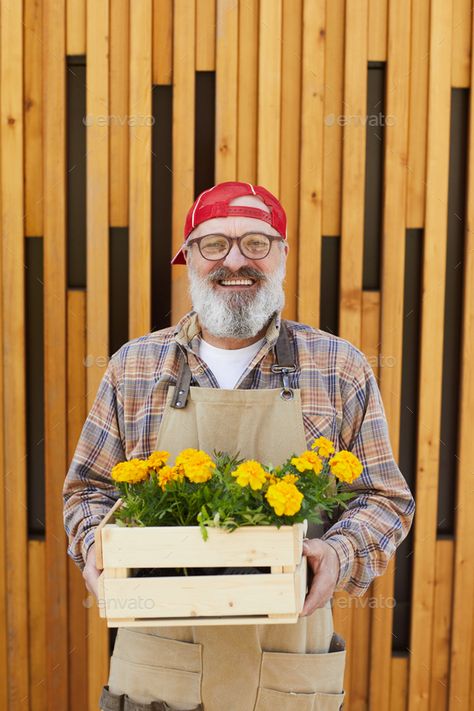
[441,644]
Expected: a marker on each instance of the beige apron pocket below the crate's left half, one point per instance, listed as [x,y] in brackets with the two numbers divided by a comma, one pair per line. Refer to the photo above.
[149,668]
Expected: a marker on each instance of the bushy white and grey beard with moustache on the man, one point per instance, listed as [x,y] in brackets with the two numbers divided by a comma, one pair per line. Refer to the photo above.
[237,314]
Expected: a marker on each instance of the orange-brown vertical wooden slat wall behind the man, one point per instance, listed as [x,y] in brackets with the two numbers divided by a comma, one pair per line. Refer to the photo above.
[291,86]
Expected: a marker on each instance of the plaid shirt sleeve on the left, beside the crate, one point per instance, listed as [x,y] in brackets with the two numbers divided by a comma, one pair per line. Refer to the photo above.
[89,491]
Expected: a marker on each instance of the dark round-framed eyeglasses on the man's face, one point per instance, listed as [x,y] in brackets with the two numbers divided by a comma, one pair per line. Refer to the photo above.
[253,245]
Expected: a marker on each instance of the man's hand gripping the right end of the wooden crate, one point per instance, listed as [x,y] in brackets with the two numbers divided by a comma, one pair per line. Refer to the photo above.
[324,563]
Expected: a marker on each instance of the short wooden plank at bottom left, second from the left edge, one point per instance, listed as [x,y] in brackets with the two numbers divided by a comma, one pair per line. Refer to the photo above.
[37,611]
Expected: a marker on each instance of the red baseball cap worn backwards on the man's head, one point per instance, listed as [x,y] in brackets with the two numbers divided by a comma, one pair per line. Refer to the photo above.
[214,202]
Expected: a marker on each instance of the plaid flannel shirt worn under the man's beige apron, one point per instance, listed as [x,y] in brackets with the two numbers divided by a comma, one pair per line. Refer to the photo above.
[340,400]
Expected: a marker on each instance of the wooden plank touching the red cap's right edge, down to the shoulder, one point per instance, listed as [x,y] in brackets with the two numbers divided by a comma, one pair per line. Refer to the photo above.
[290,140]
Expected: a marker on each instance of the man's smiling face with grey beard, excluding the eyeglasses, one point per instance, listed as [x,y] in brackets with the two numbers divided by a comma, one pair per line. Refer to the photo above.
[225,307]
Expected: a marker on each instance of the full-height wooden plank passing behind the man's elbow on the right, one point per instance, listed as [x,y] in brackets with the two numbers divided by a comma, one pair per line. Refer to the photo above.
[392,316]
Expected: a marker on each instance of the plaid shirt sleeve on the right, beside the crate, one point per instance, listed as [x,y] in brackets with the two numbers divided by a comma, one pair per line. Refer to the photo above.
[379,517]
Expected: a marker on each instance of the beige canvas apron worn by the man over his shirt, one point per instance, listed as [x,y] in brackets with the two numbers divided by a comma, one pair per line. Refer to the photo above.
[239,667]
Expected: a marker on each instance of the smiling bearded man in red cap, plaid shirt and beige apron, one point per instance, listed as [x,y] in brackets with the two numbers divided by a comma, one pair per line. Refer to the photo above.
[232,375]
